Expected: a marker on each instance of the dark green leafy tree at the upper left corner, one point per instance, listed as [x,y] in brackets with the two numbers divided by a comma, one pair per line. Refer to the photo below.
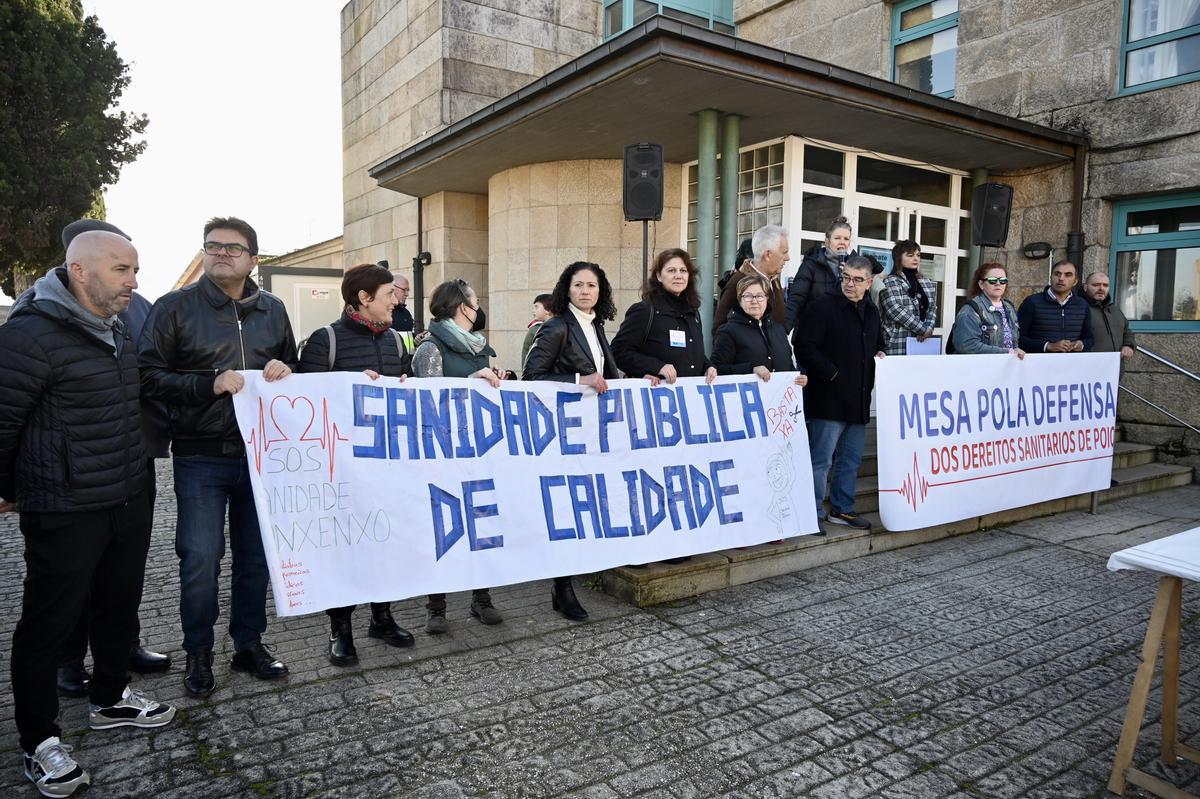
[62,139]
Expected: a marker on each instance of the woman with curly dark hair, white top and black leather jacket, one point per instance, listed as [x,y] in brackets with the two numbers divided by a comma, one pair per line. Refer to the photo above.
[572,347]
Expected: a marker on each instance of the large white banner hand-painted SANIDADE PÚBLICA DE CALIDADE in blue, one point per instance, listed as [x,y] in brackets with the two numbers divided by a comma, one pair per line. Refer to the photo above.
[382,490]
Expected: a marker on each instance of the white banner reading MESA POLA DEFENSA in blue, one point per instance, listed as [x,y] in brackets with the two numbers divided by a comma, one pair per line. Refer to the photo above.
[973,435]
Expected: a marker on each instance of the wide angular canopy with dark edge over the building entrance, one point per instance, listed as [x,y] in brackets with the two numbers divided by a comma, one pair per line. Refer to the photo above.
[649,83]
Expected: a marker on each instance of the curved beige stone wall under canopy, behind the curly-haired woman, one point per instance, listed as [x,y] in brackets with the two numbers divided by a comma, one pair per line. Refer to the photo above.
[545,217]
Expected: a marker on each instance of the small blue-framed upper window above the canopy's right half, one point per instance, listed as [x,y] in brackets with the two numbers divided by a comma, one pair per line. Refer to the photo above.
[925,45]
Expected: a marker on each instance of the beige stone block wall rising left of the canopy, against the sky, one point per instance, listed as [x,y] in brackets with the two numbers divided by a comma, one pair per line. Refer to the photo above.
[411,68]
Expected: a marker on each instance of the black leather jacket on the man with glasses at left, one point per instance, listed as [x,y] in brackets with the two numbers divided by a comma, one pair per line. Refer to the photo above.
[195,334]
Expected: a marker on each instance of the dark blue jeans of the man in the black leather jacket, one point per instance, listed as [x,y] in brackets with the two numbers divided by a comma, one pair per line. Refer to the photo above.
[205,488]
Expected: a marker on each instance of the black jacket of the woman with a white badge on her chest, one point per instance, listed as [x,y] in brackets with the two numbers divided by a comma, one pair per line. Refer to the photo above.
[643,346]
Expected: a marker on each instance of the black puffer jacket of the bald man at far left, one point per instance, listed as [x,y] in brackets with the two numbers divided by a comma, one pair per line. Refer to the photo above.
[70,423]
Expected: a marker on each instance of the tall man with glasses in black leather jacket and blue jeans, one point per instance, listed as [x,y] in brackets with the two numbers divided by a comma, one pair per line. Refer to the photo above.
[196,341]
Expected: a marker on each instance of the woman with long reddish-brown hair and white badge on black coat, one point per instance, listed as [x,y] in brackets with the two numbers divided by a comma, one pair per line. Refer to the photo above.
[662,338]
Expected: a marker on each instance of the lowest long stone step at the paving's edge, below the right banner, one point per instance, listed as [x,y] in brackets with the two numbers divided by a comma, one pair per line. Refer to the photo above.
[662,582]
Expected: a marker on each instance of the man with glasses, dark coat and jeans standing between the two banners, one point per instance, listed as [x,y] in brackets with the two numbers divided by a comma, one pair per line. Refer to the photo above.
[837,343]
